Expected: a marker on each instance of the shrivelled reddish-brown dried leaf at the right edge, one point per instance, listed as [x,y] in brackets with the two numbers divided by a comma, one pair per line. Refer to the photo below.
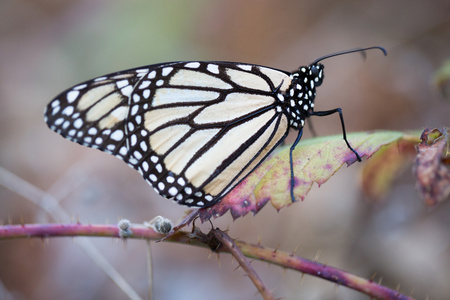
[432,166]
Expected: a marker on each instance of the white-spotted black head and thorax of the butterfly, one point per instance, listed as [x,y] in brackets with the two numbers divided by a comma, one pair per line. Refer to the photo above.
[300,96]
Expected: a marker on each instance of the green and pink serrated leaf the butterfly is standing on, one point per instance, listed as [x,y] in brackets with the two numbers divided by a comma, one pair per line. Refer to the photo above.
[315,160]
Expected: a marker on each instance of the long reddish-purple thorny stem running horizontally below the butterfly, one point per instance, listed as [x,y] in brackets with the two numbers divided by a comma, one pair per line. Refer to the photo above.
[259,252]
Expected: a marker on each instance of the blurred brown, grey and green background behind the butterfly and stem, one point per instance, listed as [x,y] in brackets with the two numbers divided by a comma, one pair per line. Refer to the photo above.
[47,46]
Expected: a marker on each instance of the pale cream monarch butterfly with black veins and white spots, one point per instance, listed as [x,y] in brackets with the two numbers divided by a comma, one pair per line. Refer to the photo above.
[193,129]
